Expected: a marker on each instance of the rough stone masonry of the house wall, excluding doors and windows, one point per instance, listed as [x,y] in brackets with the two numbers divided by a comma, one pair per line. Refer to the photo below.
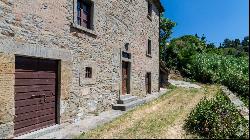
[47,29]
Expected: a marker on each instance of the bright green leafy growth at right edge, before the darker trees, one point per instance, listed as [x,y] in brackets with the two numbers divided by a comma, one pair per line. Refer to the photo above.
[227,70]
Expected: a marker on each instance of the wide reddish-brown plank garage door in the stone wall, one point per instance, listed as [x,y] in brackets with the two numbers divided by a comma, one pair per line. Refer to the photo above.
[35,94]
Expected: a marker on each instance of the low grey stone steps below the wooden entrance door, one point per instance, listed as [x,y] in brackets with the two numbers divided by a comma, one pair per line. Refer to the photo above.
[130,105]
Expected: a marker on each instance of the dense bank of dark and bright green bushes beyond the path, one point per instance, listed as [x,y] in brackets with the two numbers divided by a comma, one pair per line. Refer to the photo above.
[194,59]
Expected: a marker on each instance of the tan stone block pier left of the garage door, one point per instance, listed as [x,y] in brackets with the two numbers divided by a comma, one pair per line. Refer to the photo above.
[6,94]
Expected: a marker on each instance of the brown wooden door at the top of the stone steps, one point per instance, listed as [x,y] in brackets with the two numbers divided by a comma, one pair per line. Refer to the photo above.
[125,78]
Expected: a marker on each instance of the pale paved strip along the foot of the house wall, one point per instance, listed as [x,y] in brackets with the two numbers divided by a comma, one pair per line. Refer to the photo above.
[69,131]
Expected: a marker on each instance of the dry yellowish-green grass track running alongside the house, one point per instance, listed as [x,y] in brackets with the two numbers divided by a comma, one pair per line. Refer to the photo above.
[161,118]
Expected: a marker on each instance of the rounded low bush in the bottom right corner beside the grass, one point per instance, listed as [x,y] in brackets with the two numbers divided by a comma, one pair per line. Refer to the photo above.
[217,118]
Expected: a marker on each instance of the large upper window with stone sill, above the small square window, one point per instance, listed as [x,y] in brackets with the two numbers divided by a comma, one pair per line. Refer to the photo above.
[84,13]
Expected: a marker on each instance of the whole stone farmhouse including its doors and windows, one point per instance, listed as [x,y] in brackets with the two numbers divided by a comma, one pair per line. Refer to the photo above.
[62,60]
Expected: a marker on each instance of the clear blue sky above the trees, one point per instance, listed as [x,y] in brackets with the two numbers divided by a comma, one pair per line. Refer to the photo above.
[216,19]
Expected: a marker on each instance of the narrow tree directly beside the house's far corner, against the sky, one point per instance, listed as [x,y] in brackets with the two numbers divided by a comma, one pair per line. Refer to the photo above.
[166,29]
